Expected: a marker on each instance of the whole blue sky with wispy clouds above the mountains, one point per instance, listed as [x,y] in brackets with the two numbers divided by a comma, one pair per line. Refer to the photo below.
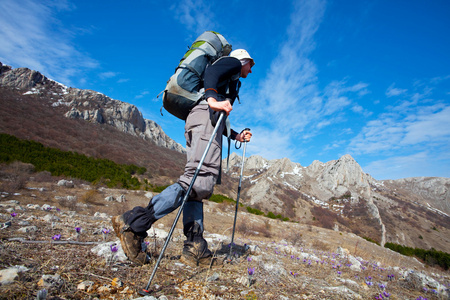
[365,78]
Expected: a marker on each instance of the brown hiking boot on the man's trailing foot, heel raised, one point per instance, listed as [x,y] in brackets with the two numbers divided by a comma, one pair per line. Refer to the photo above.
[131,242]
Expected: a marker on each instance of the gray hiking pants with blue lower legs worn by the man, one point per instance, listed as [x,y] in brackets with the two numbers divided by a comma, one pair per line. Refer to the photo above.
[198,130]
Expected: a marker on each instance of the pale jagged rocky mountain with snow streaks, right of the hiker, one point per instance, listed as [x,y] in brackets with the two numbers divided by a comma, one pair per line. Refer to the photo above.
[338,194]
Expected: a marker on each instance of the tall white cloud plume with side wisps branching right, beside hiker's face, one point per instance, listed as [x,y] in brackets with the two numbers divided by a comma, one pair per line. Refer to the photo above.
[290,99]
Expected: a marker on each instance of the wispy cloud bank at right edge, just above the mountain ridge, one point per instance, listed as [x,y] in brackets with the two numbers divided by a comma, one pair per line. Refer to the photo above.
[415,124]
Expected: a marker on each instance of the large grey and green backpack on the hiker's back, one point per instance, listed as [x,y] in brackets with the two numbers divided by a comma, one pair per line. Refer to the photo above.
[185,88]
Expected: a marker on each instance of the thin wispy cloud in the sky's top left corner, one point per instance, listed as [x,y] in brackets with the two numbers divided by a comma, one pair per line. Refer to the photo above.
[31,38]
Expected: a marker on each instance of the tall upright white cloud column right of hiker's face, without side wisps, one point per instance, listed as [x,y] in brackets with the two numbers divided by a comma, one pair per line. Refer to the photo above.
[289,92]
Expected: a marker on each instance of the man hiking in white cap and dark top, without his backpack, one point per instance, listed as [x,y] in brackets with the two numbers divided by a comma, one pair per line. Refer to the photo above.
[221,83]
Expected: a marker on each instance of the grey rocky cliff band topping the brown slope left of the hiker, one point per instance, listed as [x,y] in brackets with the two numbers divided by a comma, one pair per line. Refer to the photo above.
[87,105]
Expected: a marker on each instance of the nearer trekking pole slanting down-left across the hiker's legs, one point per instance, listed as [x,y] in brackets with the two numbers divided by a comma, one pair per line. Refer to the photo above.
[145,291]
